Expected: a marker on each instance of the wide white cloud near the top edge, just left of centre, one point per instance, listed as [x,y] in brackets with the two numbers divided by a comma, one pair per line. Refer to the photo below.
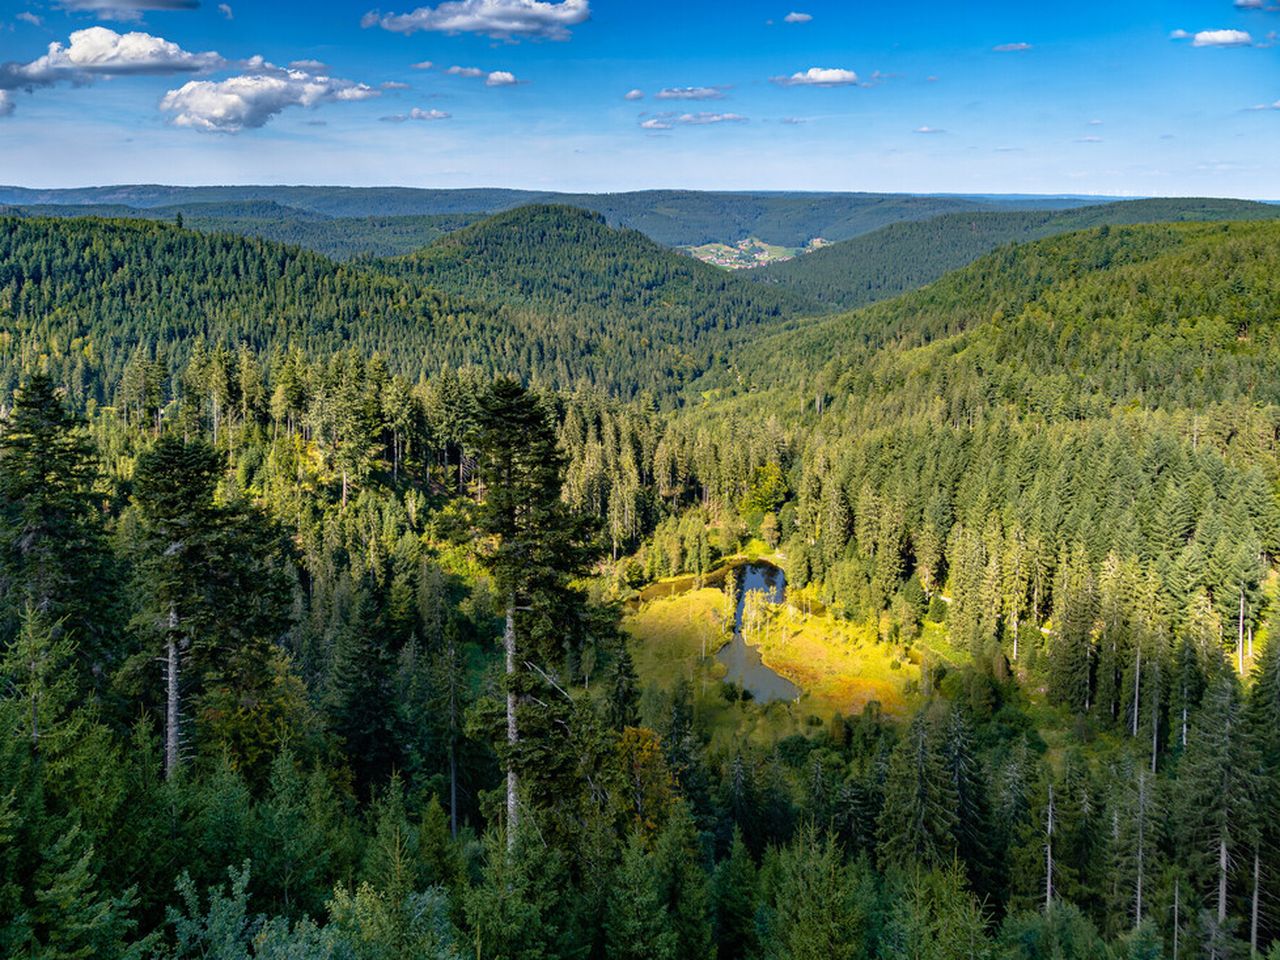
[501,20]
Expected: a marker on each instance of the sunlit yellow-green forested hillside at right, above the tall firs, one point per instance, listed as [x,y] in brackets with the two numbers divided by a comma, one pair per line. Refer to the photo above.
[1122,292]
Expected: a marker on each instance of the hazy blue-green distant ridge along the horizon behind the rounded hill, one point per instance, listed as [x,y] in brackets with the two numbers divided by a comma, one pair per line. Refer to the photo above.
[674,218]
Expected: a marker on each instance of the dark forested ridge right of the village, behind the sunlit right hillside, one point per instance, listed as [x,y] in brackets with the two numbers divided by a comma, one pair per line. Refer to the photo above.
[909,254]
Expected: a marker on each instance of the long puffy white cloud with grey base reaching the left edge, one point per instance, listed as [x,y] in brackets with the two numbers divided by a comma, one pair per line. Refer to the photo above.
[99,52]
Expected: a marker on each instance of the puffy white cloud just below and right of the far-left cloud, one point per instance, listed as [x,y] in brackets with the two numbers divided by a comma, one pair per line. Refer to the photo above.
[250,100]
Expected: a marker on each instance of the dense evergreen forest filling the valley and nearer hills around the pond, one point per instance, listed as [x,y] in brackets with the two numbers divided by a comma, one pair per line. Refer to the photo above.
[353,610]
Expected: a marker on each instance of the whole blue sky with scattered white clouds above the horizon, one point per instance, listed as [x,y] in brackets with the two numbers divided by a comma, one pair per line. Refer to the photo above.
[1135,98]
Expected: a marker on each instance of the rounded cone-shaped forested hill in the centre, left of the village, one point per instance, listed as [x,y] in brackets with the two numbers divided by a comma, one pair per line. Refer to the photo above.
[609,295]
